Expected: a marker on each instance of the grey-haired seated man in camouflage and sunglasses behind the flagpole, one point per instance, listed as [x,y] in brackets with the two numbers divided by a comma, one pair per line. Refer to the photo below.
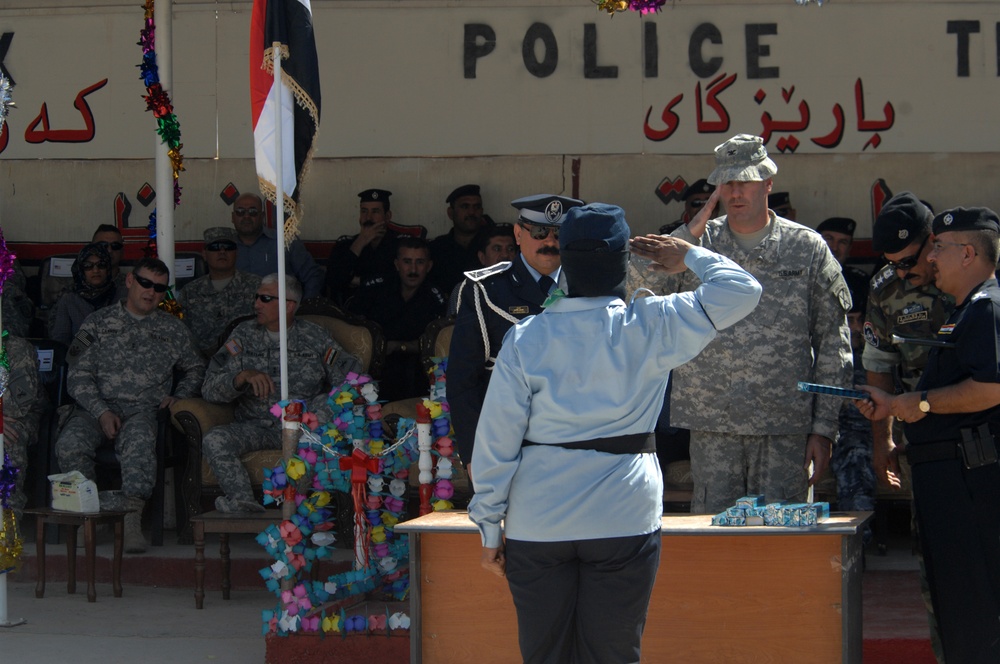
[246,370]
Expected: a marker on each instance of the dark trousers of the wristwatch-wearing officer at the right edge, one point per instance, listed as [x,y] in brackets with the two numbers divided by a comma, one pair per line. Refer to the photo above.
[958,515]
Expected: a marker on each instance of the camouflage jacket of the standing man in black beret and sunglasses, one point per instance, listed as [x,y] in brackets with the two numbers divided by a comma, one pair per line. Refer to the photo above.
[896,307]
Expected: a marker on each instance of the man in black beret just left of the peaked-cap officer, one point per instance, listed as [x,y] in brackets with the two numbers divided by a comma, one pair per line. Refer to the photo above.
[454,252]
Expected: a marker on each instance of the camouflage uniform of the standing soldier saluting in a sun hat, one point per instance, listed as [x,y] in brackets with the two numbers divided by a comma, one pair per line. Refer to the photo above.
[739,397]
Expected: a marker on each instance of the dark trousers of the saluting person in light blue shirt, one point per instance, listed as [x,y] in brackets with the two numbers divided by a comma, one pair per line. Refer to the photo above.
[583,601]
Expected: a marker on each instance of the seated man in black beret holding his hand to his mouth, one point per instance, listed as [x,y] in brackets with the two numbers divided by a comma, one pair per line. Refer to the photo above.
[366,256]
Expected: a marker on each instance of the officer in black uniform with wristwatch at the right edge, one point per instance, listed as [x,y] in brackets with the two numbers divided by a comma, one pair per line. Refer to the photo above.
[953,419]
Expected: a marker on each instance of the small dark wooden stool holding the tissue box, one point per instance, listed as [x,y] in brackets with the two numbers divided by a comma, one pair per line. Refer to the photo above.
[89,521]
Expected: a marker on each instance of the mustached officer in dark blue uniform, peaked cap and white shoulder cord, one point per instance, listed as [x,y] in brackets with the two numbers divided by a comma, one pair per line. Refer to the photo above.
[492,299]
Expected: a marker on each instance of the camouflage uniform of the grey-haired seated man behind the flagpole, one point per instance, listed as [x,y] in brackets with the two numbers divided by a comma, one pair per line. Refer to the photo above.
[316,364]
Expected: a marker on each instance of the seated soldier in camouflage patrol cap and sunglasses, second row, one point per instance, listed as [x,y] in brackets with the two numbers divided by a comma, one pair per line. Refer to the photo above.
[211,302]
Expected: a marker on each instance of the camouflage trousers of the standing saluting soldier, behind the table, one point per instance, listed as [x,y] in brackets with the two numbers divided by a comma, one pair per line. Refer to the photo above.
[726,466]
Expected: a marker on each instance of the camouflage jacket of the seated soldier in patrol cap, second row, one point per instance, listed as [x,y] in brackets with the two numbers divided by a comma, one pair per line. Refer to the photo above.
[207,311]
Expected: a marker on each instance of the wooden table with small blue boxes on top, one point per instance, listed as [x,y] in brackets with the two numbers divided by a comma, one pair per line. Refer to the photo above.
[751,594]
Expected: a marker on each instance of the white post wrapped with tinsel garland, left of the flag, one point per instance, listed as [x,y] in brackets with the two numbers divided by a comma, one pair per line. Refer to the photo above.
[163,18]
